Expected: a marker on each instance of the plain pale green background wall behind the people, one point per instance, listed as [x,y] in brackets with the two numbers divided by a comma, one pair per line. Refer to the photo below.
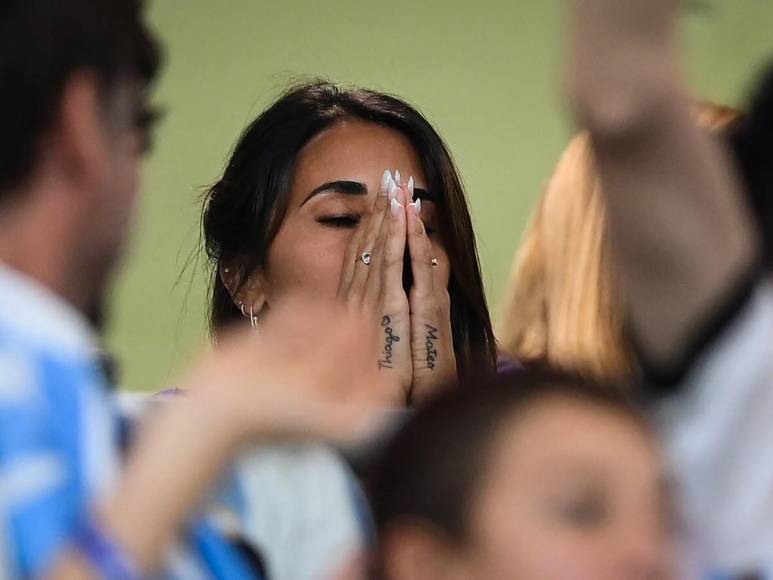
[486,74]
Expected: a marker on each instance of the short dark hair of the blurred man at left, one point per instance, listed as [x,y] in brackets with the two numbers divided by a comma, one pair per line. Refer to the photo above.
[42,44]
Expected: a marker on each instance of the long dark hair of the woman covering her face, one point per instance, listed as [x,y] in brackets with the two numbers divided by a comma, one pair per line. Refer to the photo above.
[244,210]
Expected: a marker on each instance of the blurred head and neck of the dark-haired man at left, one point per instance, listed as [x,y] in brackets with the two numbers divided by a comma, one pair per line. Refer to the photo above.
[73,126]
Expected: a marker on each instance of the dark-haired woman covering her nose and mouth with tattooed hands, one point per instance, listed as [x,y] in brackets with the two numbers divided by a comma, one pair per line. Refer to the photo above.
[351,197]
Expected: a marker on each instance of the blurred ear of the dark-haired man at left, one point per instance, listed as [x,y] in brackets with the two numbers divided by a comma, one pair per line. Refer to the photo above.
[80,135]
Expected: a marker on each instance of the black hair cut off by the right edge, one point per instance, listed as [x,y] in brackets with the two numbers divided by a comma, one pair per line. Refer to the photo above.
[752,147]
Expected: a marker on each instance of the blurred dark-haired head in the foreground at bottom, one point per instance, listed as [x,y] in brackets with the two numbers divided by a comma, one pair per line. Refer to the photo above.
[536,476]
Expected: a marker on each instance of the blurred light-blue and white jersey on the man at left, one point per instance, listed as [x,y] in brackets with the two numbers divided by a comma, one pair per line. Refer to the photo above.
[58,439]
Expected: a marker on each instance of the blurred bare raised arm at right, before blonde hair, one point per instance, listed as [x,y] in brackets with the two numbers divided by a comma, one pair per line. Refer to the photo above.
[682,240]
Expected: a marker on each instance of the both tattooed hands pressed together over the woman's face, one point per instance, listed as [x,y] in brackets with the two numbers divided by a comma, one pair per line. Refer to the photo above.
[372,282]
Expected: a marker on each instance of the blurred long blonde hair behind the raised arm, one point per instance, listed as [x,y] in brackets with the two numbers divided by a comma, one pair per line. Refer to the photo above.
[562,307]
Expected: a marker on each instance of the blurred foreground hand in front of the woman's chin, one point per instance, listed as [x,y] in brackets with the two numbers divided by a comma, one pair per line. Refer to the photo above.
[307,373]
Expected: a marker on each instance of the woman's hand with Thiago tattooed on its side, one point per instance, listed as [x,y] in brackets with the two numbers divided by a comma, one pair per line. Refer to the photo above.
[371,287]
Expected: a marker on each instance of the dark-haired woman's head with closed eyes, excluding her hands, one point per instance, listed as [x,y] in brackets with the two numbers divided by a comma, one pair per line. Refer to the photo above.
[302,178]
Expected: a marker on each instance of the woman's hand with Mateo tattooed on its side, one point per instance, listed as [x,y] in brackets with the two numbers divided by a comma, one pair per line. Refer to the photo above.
[432,347]
